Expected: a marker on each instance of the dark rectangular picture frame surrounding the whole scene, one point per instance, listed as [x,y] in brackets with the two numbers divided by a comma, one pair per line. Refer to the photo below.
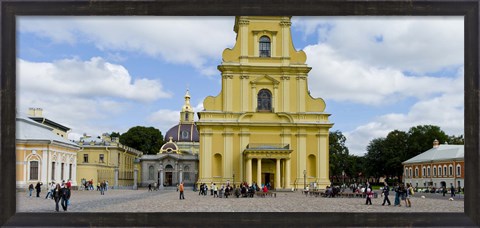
[469,9]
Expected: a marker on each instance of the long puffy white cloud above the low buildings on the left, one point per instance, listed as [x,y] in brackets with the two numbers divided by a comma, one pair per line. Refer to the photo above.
[95,77]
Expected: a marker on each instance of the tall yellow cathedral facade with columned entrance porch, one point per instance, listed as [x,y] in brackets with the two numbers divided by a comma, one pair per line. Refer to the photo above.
[264,127]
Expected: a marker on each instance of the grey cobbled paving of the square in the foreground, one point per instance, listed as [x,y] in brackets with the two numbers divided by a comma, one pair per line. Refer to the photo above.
[167,201]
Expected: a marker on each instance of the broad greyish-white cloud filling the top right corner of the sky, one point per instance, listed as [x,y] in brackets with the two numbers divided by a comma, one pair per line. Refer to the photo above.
[415,44]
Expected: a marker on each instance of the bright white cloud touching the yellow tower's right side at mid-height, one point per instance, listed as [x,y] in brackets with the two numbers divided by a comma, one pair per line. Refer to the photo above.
[340,78]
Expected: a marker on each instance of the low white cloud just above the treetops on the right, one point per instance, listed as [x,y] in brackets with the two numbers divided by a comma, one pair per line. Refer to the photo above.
[445,110]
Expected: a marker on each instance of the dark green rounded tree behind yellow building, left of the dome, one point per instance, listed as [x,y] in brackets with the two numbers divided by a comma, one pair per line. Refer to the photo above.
[146,139]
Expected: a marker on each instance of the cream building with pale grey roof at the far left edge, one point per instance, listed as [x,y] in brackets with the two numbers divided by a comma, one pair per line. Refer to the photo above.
[42,155]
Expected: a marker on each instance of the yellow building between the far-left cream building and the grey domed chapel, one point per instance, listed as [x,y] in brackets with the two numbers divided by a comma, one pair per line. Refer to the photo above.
[105,159]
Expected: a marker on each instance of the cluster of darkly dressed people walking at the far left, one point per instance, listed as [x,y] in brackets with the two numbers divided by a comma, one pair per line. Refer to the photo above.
[60,193]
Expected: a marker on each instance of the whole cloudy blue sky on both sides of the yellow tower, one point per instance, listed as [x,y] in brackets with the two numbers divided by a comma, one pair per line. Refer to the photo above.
[104,74]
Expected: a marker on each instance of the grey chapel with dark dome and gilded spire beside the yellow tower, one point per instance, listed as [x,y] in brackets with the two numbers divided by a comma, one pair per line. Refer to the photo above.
[177,159]
